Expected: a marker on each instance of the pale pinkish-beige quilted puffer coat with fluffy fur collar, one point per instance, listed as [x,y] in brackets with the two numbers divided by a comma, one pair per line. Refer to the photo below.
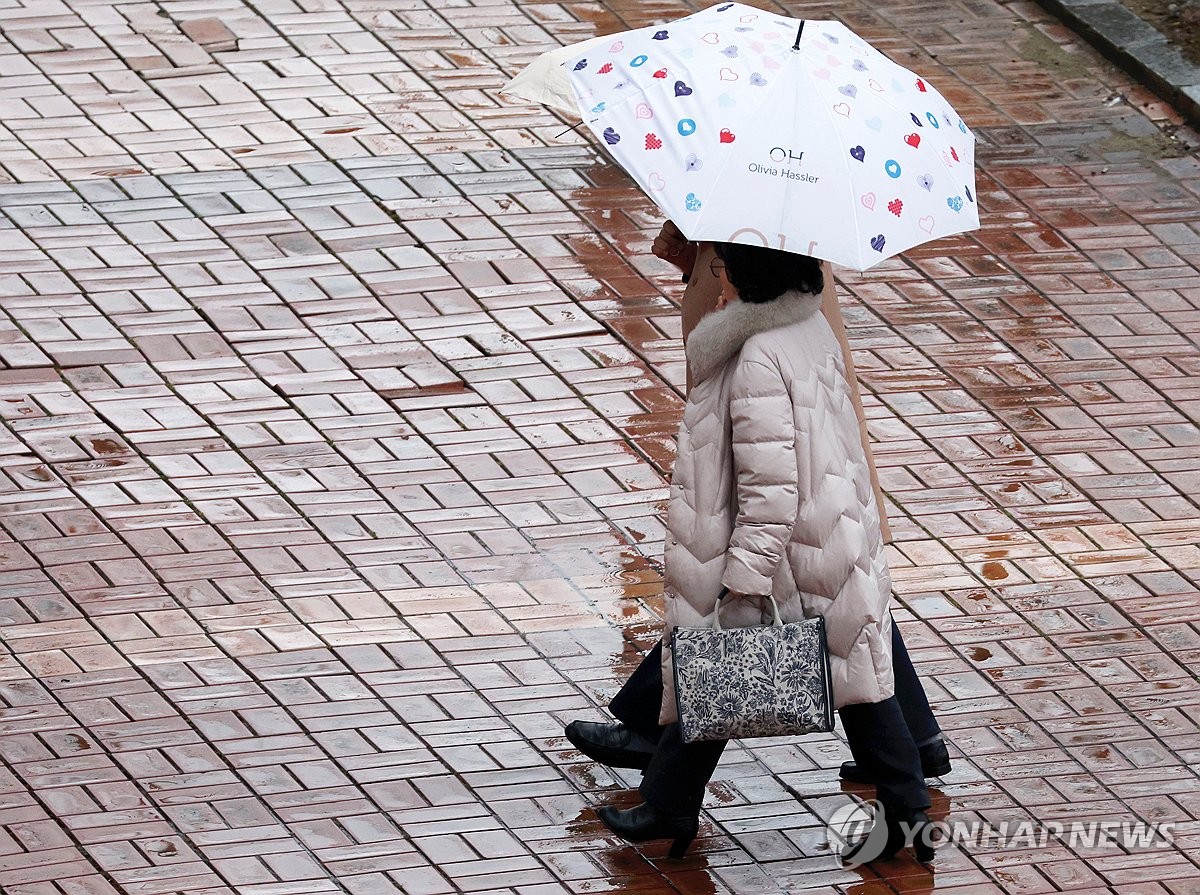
[772,492]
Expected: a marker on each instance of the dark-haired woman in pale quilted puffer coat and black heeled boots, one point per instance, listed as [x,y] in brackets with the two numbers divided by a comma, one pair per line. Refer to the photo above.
[772,495]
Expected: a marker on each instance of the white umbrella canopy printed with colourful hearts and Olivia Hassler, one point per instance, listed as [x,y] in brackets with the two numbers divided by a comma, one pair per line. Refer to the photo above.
[752,128]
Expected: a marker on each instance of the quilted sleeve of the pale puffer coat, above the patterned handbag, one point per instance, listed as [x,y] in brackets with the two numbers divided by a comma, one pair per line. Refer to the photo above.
[765,466]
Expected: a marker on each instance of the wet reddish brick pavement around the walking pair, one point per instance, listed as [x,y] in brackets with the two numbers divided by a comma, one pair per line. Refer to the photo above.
[339,399]
